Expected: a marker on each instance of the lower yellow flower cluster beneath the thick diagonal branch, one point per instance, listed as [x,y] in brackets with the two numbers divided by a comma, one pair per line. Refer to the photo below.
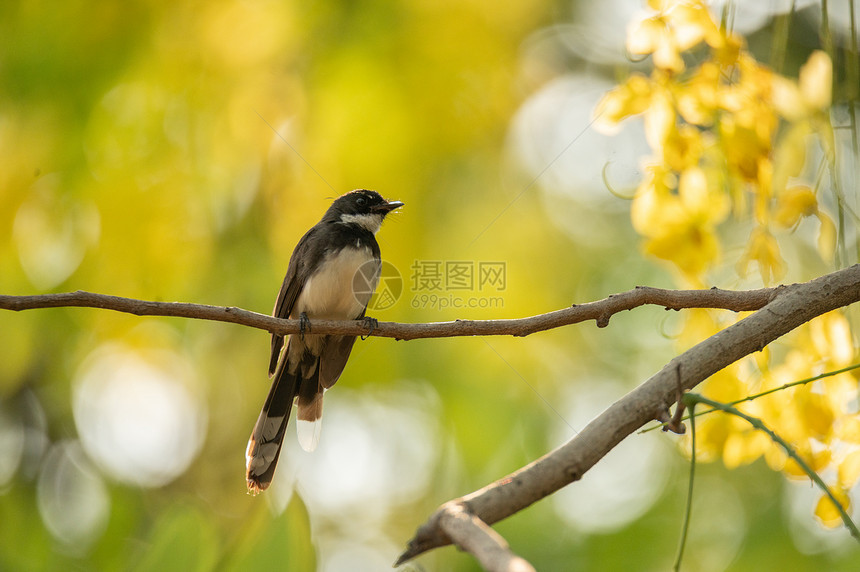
[816,418]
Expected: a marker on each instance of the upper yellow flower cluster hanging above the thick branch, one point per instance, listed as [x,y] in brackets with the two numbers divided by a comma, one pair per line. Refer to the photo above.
[726,135]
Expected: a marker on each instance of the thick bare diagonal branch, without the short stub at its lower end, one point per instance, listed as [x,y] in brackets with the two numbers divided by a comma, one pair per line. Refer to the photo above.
[790,307]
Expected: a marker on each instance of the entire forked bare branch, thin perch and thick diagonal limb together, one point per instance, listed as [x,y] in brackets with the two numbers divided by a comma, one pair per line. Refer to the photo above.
[465,521]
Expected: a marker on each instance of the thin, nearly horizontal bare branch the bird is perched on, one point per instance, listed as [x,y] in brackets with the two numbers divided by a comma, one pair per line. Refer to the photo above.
[600,311]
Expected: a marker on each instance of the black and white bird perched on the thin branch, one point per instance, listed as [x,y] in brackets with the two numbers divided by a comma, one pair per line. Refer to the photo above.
[332,274]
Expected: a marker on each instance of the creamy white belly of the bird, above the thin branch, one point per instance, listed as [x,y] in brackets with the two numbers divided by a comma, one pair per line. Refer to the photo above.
[329,294]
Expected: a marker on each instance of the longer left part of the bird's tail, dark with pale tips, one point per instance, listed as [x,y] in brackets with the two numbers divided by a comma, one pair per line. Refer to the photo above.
[264,446]
